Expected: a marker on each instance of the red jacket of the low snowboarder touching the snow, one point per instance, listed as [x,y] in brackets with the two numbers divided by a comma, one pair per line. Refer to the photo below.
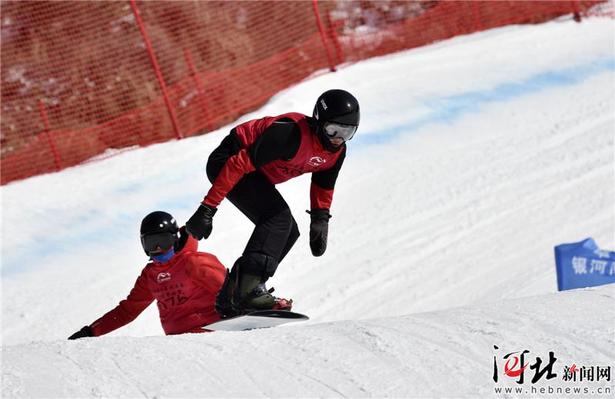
[185,289]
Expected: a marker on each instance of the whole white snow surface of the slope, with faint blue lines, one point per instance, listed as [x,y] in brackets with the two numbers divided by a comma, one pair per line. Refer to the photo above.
[474,158]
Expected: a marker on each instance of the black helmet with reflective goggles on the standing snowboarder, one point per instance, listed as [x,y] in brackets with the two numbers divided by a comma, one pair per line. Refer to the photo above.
[337,113]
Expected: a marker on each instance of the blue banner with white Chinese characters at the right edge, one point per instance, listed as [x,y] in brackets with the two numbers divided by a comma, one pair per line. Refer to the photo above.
[583,264]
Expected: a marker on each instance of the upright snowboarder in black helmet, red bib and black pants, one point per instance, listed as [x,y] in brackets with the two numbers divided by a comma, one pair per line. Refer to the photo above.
[245,168]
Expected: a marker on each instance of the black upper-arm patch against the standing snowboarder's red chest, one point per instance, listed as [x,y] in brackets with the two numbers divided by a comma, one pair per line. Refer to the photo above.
[281,140]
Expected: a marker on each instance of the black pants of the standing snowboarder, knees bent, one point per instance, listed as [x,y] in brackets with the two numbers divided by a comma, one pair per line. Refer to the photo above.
[275,230]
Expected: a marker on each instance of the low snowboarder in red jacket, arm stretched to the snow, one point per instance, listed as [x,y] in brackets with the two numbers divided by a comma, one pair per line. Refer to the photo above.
[184,282]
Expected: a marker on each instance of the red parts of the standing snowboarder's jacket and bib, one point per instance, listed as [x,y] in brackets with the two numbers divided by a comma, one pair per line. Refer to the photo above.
[311,157]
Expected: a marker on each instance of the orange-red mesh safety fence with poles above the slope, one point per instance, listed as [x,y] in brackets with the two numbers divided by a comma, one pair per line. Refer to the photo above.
[82,80]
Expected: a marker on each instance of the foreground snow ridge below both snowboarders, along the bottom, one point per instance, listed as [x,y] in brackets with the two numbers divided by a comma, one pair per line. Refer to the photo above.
[439,354]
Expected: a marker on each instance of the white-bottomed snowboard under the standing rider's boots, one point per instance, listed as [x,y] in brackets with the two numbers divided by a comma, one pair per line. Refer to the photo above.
[257,319]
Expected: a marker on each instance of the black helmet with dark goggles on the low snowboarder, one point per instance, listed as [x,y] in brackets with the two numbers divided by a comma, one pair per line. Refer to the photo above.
[159,232]
